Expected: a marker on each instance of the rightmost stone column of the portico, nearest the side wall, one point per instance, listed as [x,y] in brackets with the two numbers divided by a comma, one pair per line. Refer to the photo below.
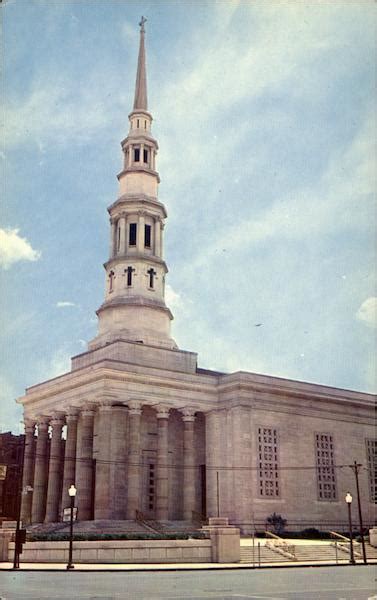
[189,467]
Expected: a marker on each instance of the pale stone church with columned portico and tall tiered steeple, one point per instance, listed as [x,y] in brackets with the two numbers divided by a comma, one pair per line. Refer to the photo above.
[139,428]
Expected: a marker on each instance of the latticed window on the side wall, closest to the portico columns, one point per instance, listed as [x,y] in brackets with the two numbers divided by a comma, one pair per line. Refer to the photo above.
[268,463]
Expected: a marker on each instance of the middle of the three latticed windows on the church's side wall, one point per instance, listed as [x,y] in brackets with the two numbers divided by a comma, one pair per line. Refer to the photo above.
[326,482]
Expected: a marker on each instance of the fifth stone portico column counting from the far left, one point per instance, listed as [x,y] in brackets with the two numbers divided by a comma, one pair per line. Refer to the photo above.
[84,465]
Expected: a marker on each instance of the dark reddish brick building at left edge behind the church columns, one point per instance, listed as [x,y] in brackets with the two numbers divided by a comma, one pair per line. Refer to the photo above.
[11,449]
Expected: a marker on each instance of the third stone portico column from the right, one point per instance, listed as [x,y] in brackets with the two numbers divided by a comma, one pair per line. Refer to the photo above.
[134,459]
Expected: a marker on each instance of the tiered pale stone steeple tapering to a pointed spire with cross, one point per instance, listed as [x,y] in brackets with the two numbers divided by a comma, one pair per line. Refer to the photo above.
[134,308]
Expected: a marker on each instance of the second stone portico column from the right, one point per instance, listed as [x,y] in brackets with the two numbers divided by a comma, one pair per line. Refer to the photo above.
[162,471]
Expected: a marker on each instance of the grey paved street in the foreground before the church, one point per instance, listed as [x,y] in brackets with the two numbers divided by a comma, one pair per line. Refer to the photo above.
[327,583]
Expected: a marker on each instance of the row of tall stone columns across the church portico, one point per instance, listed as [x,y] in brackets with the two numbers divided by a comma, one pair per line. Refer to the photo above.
[109,481]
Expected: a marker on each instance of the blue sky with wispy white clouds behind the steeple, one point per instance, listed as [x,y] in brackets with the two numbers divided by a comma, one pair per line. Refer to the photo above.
[265,117]
